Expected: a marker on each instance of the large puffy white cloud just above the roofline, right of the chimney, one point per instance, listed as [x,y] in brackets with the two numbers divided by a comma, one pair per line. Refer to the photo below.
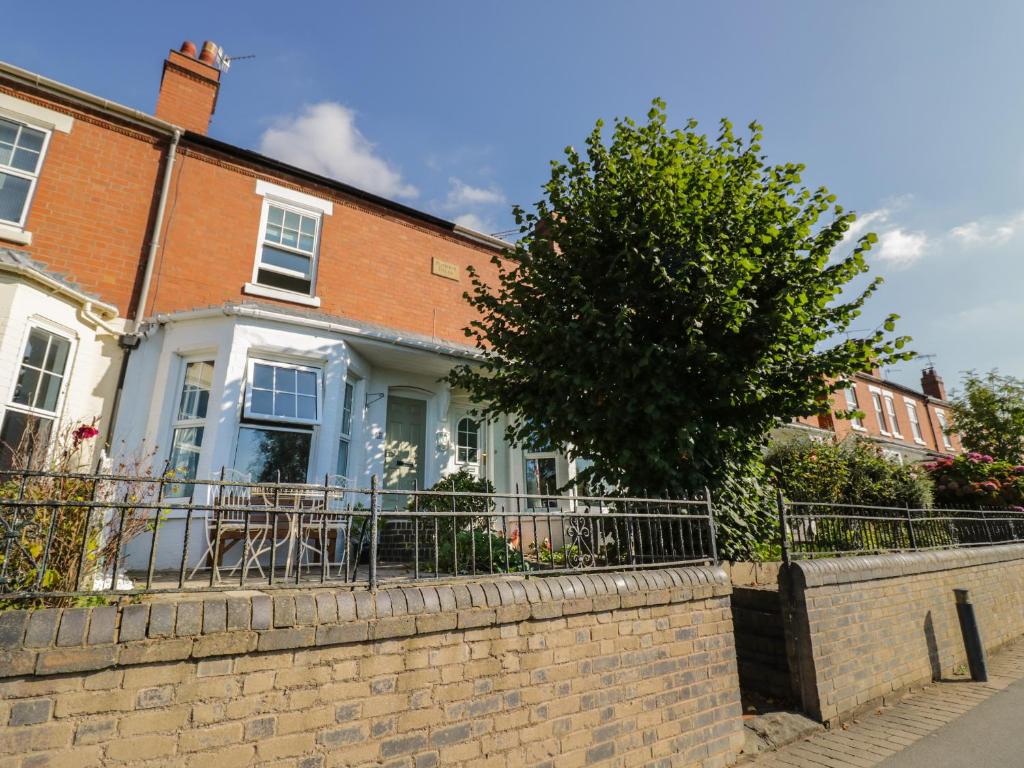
[324,140]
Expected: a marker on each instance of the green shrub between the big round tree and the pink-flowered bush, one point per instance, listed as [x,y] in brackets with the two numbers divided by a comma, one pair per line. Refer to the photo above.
[849,473]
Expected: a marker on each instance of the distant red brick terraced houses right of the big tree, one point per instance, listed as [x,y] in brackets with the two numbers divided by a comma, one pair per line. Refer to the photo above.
[908,424]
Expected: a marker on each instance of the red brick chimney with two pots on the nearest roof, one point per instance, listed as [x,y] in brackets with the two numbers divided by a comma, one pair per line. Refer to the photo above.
[189,88]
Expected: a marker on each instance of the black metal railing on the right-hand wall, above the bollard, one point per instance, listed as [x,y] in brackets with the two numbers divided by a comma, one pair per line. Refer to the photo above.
[818,530]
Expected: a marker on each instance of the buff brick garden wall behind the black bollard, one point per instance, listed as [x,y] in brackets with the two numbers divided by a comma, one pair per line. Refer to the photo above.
[863,628]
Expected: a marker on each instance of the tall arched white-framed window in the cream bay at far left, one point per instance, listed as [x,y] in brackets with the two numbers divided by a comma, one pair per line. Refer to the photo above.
[28,420]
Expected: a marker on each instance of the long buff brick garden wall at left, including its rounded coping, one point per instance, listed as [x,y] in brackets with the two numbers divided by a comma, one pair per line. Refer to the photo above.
[626,670]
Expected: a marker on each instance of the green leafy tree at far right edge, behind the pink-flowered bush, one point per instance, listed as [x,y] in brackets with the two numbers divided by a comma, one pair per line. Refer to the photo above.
[990,416]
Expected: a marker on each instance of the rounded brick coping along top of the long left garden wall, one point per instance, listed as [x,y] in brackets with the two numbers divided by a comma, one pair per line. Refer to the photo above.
[234,623]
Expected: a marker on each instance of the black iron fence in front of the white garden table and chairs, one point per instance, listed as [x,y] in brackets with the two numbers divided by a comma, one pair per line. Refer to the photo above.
[72,536]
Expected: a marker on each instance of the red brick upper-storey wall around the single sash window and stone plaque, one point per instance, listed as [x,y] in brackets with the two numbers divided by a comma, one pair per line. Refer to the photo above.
[375,266]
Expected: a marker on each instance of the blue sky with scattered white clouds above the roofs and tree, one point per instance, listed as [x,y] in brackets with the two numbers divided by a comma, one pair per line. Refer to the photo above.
[910,112]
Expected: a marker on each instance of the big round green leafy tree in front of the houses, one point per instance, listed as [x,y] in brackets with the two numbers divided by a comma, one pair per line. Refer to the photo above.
[672,298]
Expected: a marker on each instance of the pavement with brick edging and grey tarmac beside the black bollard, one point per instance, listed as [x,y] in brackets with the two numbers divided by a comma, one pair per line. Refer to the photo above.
[947,726]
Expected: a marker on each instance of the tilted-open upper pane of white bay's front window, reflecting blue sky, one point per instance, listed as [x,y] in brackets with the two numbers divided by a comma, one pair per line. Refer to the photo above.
[282,392]
